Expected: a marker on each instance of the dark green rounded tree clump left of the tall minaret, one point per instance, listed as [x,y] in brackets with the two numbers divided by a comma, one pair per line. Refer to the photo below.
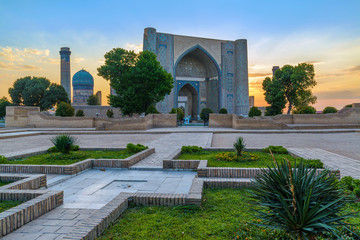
[37,91]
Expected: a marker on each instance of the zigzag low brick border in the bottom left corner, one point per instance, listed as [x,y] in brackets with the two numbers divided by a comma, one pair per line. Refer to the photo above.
[37,202]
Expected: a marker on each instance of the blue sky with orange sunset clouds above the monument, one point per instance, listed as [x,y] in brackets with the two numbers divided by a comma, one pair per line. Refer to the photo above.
[325,33]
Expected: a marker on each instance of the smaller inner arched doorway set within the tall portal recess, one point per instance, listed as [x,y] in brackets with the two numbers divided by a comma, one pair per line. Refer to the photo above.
[188,98]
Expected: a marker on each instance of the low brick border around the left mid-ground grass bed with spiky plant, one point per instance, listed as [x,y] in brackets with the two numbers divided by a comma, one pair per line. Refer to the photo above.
[76,167]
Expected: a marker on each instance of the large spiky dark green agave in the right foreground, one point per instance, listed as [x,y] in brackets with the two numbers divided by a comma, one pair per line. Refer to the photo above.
[300,201]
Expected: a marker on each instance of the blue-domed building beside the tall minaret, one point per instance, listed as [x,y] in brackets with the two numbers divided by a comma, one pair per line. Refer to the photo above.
[83,87]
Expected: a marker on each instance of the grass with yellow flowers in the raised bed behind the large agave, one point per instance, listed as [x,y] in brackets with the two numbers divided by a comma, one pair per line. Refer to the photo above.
[264,160]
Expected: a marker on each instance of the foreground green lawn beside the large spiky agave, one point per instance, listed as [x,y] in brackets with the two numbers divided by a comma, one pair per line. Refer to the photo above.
[225,214]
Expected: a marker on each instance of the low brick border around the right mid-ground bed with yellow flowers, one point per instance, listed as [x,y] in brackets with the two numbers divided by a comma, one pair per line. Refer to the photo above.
[218,172]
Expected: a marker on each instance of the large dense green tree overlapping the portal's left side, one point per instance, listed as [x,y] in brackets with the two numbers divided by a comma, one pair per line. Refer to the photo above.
[138,80]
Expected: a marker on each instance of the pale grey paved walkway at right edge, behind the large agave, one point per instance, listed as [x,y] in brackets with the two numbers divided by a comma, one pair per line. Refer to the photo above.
[347,166]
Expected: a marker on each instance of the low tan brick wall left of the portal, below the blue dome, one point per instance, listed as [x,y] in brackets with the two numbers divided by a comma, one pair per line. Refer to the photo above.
[19,116]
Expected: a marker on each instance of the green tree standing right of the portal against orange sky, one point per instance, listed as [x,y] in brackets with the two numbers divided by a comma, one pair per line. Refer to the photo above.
[292,84]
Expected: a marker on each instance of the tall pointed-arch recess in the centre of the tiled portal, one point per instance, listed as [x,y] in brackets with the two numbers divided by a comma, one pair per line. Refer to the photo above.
[197,72]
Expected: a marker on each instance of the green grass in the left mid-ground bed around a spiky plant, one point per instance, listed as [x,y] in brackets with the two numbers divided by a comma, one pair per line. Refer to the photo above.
[66,159]
